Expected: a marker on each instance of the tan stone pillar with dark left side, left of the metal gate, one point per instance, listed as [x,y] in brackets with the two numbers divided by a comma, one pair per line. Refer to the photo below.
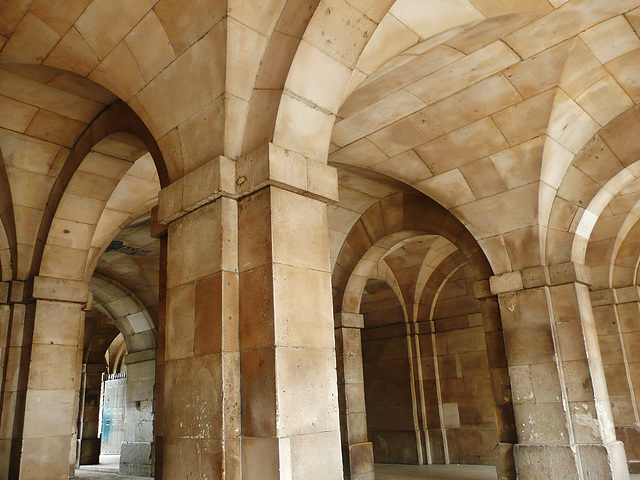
[43,378]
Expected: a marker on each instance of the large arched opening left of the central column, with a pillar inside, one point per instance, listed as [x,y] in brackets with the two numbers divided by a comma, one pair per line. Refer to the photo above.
[80,167]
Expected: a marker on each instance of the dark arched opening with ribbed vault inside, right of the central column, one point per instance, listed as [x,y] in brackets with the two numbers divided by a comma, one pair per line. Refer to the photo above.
[430,341]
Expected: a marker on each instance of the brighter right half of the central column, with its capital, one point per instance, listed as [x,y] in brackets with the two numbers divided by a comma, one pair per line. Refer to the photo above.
[290,420]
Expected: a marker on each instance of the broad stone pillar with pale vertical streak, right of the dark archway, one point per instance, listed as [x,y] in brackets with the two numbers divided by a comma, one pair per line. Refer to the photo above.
[560,399]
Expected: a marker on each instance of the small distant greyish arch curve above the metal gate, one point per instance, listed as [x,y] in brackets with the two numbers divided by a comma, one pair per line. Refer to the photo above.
[126,310]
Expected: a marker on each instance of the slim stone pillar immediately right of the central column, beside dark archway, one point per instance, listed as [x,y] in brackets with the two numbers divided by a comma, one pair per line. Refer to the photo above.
[357,451]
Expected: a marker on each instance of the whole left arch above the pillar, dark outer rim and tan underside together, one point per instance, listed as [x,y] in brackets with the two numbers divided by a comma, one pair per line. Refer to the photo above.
[109,161]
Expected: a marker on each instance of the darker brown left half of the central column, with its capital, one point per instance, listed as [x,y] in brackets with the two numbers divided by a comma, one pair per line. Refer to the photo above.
[198,370]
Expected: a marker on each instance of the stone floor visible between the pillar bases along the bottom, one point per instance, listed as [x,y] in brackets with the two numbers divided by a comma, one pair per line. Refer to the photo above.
[107,470]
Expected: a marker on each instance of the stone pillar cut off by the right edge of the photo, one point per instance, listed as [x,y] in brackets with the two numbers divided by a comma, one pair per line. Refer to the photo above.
[617,316]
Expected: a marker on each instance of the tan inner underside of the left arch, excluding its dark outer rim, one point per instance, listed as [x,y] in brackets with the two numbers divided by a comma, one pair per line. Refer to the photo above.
[105,192]
